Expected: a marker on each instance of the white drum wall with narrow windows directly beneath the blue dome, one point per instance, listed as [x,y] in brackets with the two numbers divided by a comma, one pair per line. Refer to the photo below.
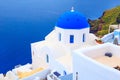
[78,35]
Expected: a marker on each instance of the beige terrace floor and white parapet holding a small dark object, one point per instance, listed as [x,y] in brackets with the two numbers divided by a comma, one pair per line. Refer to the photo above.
[106,54]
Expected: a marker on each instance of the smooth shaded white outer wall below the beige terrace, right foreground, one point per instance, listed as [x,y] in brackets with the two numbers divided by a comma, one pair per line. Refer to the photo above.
[89,69]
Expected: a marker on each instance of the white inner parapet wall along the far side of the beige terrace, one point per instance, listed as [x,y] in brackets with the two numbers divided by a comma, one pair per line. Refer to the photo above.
[100,50]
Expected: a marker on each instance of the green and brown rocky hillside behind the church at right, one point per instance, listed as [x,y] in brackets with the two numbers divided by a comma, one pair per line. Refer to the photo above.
[100,26]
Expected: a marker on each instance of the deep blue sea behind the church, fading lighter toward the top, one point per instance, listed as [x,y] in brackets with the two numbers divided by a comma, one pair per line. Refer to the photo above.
[26,21]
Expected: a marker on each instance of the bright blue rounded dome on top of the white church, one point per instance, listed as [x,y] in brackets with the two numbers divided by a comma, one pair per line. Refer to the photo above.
[72,20]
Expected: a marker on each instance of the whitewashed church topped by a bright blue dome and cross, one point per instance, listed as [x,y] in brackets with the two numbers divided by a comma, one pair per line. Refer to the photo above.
[71,32]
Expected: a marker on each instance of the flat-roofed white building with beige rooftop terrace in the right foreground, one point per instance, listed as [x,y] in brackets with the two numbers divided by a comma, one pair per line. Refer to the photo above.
[97,63]
